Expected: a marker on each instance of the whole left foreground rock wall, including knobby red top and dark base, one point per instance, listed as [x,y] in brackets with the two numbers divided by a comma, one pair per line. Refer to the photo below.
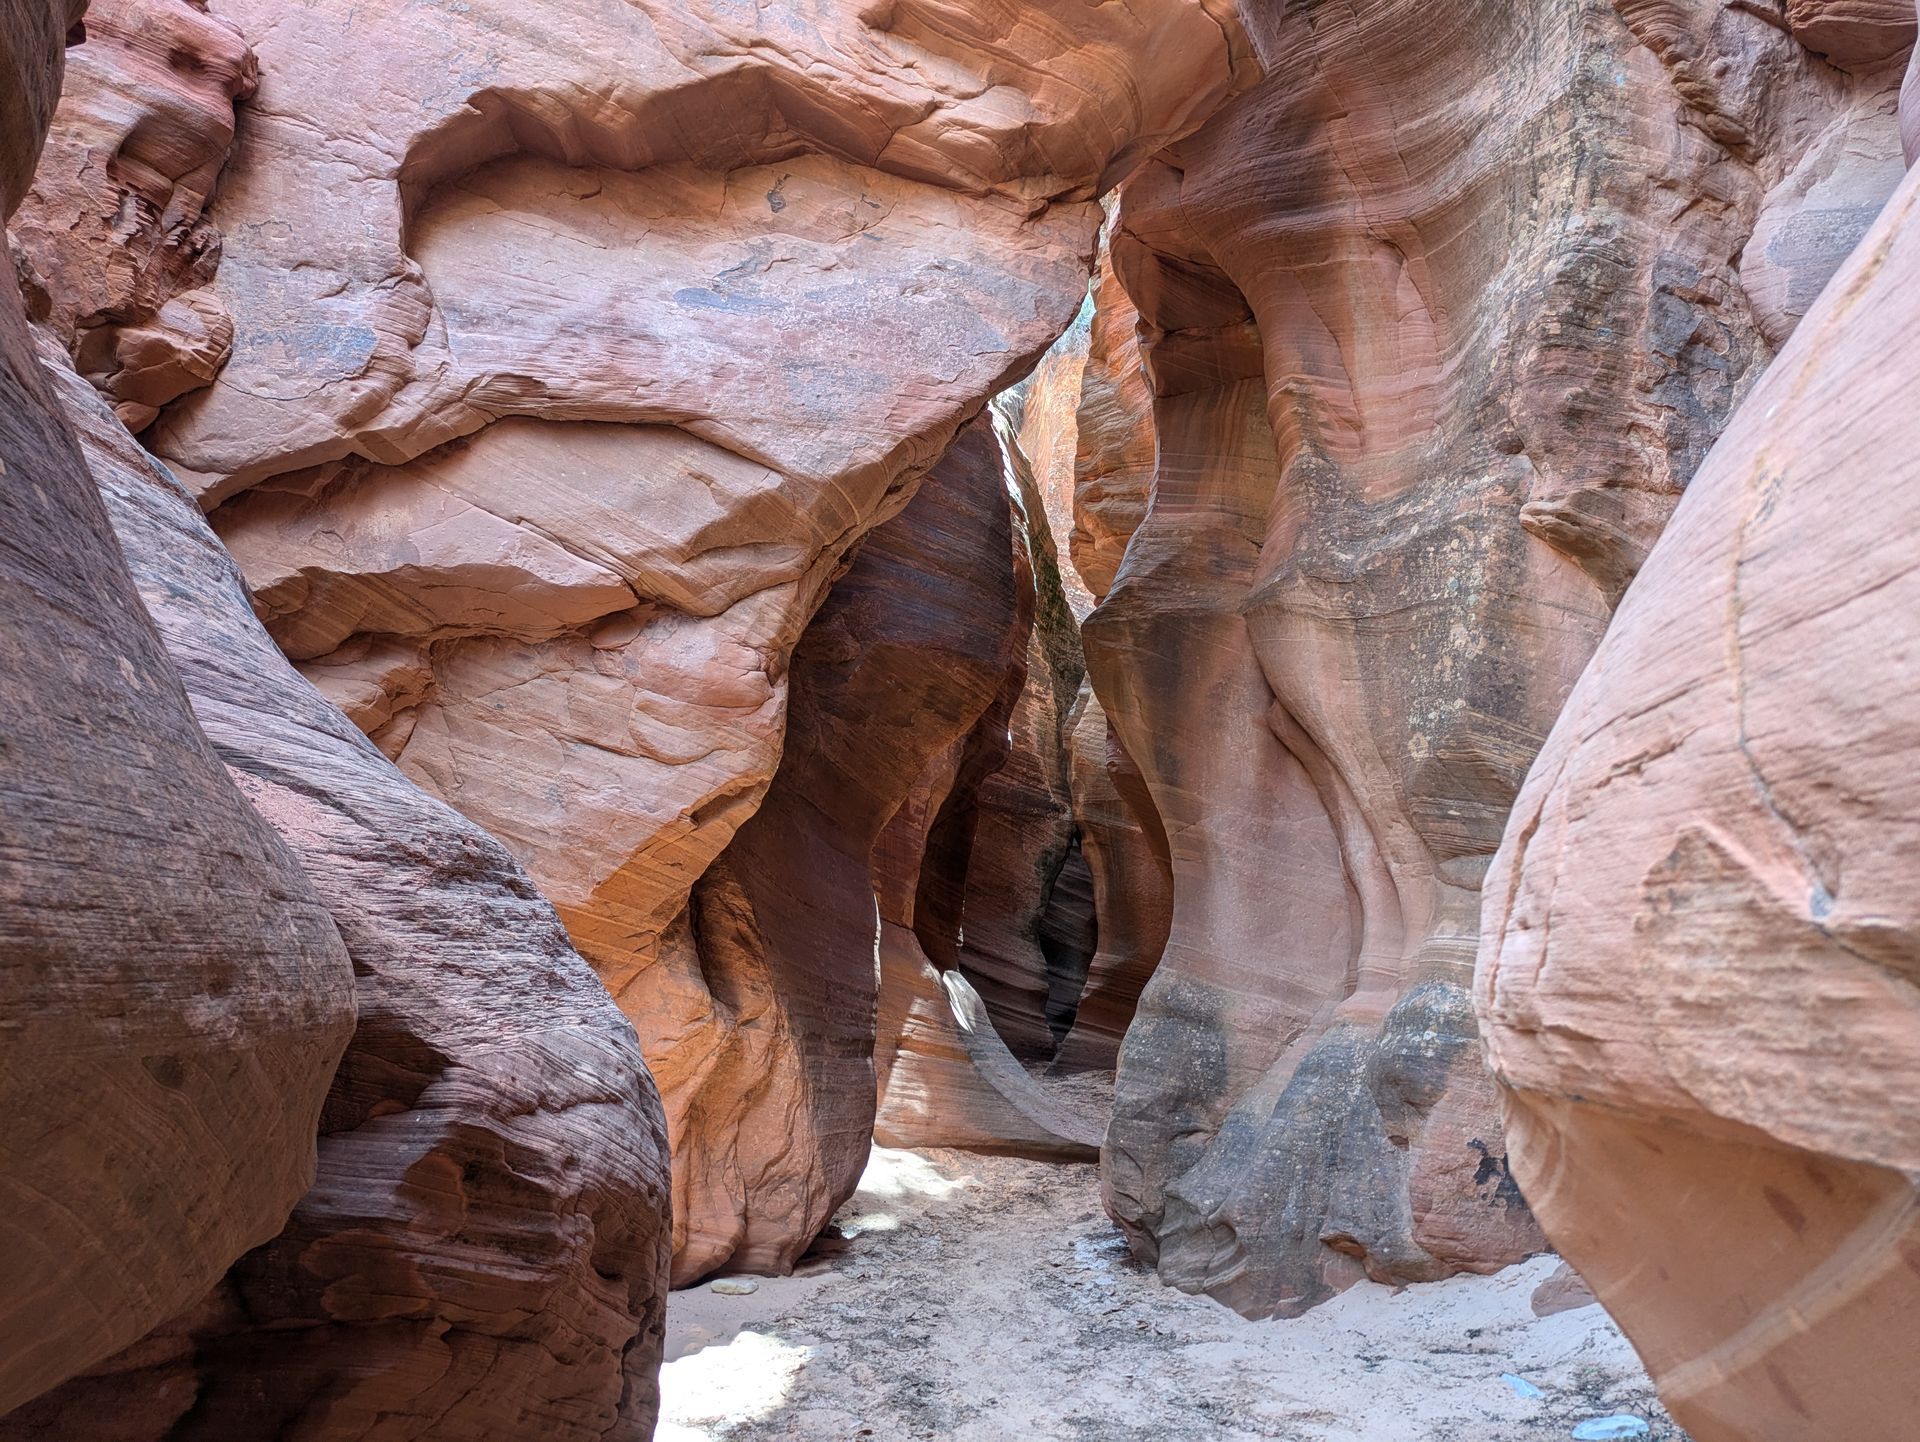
[462,1232]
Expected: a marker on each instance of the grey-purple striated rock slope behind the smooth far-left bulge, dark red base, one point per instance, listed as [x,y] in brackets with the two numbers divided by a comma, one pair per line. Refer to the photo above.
[485,1247]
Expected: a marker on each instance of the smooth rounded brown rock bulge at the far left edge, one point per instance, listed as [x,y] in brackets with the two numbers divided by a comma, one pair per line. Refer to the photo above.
[174,997]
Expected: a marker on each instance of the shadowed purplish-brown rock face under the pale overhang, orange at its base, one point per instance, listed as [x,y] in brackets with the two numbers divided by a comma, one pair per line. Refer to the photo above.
[894,671]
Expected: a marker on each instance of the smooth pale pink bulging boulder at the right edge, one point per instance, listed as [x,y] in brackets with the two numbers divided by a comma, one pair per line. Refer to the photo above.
[1698,974]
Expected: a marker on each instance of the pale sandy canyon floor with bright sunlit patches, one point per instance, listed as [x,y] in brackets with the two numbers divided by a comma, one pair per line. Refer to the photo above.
[992,1301]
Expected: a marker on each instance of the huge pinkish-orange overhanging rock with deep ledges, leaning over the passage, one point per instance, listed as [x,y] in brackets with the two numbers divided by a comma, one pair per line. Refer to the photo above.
[577,348]
